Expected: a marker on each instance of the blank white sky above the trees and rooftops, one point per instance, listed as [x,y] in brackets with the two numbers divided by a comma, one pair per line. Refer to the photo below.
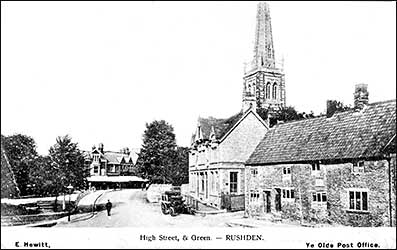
[99,71]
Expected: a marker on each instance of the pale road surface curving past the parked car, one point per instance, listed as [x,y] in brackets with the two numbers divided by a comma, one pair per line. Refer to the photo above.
[132,210]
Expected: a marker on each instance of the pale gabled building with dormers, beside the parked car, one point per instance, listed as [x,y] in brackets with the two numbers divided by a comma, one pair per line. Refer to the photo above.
[220,148]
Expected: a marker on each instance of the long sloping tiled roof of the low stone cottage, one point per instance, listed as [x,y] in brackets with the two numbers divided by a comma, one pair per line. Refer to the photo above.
[346,135]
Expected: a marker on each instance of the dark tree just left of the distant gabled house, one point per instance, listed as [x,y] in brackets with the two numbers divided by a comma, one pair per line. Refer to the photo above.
[67,164]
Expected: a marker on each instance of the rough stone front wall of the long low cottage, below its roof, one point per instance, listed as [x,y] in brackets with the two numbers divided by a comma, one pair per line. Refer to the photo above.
[335,180]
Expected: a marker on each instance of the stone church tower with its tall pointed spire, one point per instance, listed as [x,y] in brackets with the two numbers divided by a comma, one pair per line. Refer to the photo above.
[264,84]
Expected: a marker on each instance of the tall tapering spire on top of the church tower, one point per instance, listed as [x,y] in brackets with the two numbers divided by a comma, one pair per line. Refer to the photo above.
[263,48]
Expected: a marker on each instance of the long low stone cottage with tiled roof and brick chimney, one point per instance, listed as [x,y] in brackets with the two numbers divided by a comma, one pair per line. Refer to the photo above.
[339,169]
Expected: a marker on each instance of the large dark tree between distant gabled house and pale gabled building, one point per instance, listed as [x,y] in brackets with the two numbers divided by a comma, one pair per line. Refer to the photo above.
[159,158]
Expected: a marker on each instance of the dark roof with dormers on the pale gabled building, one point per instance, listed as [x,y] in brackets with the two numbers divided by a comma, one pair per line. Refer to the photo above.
[221,126]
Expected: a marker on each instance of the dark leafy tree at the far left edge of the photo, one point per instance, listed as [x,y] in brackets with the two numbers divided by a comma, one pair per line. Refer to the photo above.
[21,152]
